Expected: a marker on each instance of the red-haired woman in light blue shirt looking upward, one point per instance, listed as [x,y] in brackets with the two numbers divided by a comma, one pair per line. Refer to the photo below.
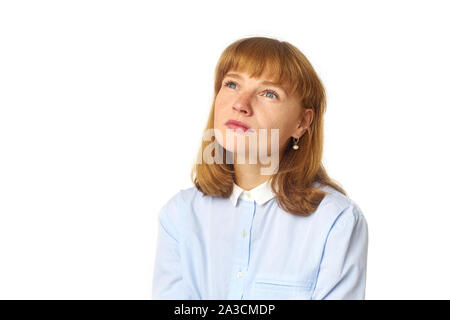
[252,229]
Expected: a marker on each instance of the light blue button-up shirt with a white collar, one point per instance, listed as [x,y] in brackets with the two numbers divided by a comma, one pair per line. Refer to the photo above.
[247,247]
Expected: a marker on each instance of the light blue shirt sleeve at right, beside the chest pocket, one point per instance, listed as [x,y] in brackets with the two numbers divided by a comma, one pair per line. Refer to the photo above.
[342,271]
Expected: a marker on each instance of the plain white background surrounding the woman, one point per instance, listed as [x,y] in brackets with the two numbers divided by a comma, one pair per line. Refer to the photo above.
[102,104]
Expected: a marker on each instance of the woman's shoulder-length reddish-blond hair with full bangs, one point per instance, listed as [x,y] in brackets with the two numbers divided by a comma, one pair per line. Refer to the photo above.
[298,170]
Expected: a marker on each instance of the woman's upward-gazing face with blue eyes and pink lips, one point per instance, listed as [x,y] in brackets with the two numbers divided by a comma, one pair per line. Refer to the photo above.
[260,106]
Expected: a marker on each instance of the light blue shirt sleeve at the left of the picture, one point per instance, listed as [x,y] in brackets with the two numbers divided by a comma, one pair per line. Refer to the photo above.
[168,281]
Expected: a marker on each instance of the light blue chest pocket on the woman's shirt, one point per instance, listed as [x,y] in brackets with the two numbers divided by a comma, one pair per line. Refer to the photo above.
[276,289]
